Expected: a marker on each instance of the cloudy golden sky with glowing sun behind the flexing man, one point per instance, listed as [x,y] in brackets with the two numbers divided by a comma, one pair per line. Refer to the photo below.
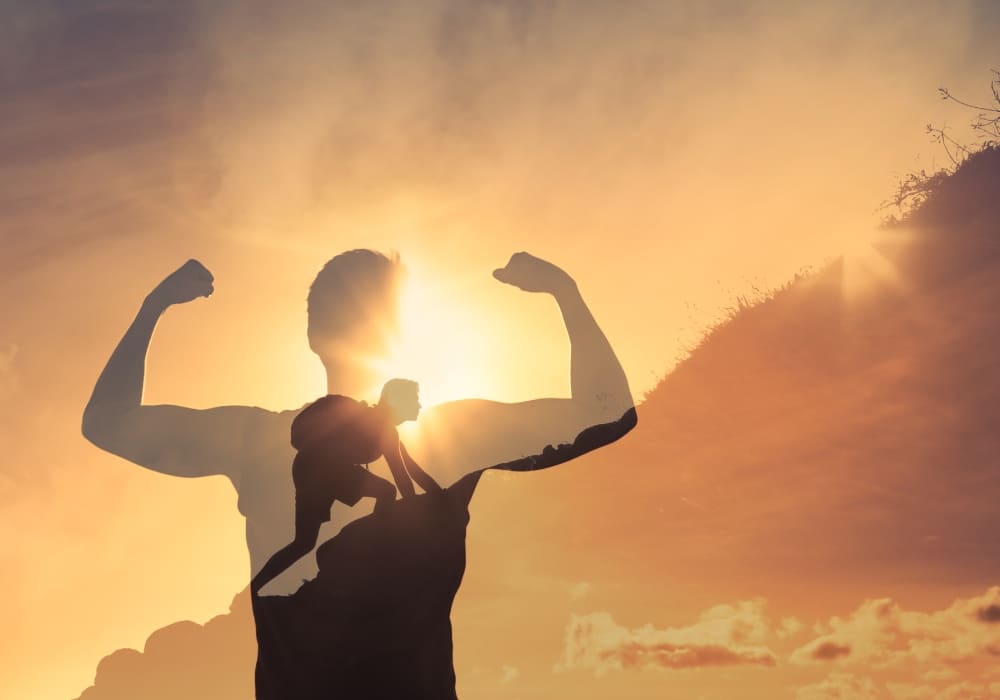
[670,156]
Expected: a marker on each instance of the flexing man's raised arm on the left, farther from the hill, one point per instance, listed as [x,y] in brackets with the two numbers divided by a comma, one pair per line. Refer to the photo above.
[169,439]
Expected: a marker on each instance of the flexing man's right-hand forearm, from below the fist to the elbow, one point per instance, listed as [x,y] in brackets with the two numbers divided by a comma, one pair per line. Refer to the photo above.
[597,379]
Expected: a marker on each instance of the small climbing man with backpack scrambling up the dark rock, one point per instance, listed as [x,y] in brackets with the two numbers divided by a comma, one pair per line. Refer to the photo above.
[334,436]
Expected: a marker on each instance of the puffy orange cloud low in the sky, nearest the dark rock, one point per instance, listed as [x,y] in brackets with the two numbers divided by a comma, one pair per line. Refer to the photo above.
[724,635]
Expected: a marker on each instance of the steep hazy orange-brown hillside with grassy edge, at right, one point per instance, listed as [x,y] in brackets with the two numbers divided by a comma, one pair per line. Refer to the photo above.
[825,428]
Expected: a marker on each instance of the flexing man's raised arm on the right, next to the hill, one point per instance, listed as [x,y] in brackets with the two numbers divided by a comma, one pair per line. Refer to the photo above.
[463,435]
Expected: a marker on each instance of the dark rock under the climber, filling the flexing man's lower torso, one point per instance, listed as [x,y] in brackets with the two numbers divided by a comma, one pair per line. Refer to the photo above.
[375,622]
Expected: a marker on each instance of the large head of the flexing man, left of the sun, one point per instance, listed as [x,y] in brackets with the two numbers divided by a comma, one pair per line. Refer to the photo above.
[352,305]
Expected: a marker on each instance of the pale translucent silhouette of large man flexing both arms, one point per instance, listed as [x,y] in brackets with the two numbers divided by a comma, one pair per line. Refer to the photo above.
[352,313]
